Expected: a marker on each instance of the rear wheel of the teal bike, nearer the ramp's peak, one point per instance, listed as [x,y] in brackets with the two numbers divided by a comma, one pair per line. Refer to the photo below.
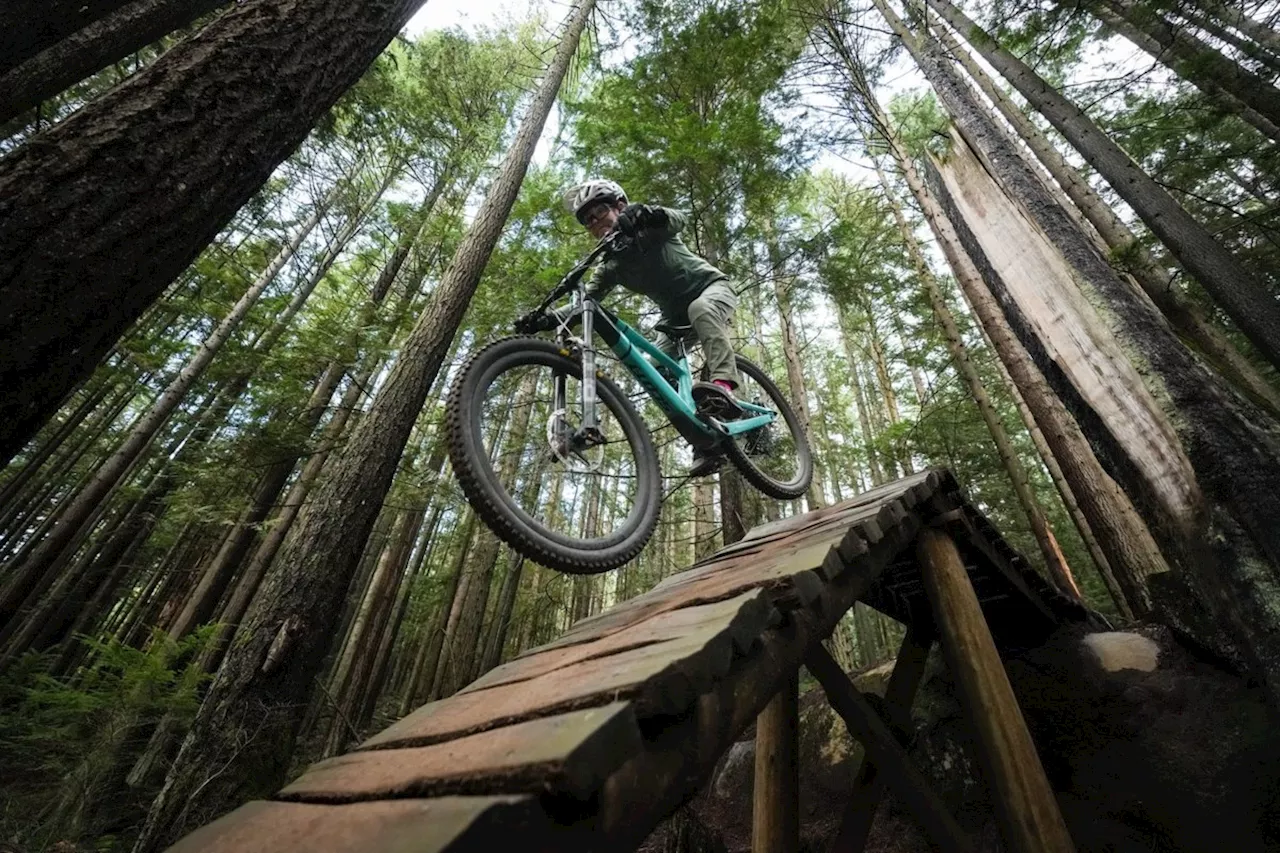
[775,459]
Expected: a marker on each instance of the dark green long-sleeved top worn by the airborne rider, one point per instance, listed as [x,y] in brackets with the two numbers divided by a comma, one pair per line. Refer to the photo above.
[668,272]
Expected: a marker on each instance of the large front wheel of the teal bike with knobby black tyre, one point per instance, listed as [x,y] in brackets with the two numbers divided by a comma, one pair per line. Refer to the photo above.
[578,507]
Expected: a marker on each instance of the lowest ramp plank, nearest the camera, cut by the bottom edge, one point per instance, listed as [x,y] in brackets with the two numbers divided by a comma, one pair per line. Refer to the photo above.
[450,824]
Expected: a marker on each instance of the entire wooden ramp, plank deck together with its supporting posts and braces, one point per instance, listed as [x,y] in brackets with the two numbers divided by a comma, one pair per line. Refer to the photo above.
[589,742]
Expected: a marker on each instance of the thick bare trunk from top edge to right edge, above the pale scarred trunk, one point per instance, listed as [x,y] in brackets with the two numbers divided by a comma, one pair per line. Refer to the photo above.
[1236,289]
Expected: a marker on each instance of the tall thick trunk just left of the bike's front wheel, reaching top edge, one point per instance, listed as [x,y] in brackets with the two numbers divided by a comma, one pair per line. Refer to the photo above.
[290,628]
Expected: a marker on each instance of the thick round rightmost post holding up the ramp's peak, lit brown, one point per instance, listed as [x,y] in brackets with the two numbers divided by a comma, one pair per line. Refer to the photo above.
[1026,808]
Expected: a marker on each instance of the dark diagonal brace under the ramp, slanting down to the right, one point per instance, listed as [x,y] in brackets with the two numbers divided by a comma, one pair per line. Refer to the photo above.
[883,747]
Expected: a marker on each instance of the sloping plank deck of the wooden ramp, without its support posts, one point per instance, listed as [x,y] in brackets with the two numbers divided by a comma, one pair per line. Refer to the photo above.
[587,743]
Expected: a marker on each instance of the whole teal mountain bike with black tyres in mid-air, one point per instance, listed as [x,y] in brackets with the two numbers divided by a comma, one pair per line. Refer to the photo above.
[554,455]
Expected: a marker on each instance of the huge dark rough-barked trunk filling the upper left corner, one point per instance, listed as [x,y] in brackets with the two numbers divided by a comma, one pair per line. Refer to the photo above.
[71,199]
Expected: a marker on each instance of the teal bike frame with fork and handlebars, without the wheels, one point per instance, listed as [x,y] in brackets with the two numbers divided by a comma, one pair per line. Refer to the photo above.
[643,361]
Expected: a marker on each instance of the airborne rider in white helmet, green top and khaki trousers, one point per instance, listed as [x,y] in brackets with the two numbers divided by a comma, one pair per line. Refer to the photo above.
[689,291]
